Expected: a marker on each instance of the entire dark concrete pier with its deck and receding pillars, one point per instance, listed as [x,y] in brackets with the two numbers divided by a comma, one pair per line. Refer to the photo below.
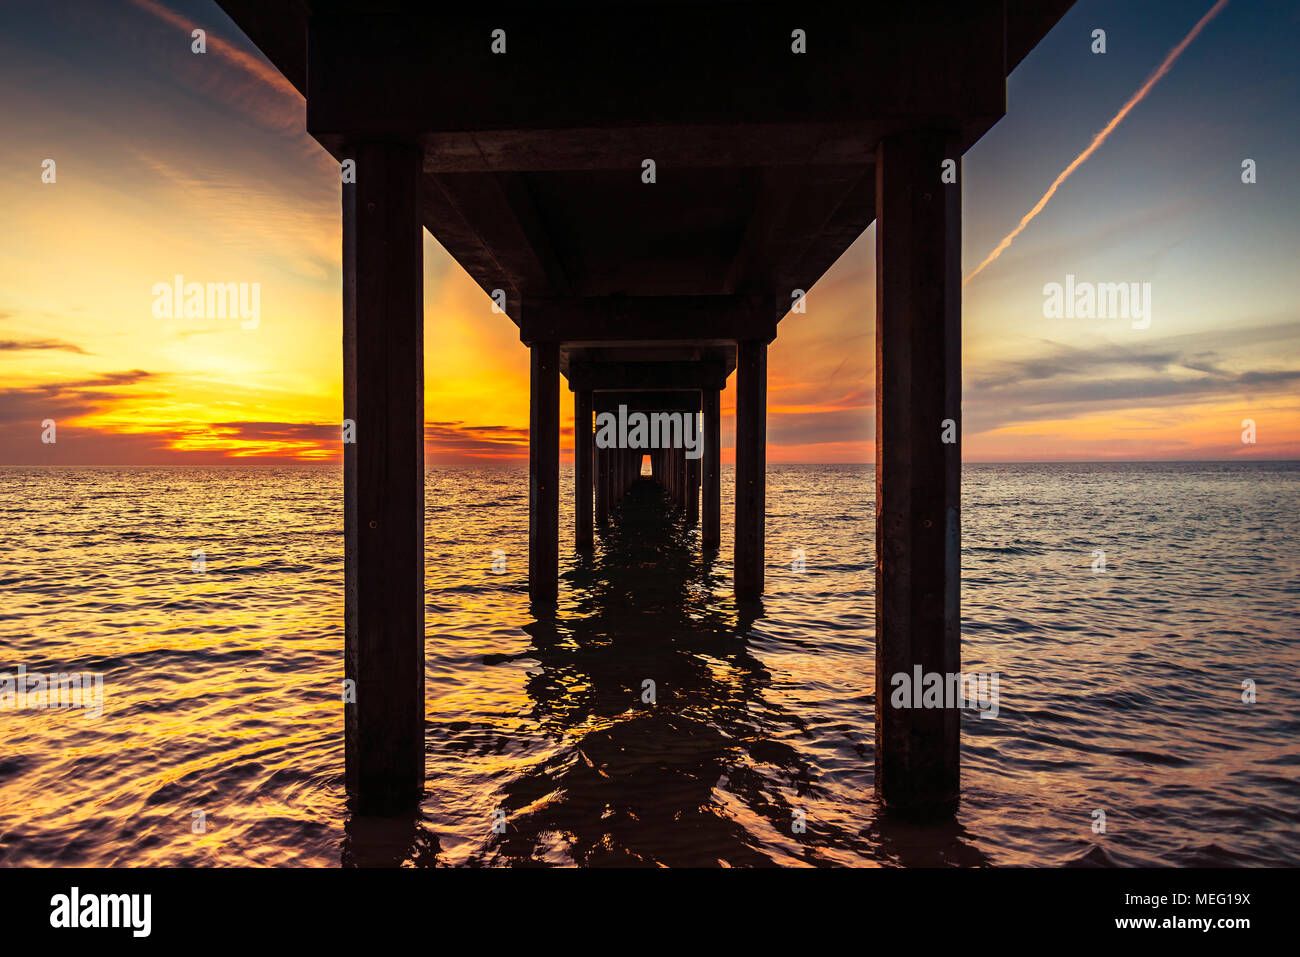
[651,189]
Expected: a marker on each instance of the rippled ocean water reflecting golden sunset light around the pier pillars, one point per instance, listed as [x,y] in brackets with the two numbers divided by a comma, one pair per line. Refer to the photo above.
[222,735]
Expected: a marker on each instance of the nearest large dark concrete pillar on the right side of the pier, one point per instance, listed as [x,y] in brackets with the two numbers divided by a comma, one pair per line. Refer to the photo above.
[918,477]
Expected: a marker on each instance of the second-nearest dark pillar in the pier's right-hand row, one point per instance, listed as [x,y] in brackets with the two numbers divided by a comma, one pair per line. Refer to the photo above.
[751,465]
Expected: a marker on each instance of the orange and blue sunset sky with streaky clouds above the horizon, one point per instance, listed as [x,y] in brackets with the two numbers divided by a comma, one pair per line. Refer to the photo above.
[171,163]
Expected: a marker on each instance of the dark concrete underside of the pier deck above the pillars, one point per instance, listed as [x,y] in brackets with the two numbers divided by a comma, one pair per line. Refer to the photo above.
[534,162]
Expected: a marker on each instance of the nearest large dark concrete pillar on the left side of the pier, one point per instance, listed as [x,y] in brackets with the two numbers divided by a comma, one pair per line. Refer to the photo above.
[384,479]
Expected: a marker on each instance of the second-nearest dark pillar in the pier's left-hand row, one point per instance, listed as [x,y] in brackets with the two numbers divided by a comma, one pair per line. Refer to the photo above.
[544,471]
